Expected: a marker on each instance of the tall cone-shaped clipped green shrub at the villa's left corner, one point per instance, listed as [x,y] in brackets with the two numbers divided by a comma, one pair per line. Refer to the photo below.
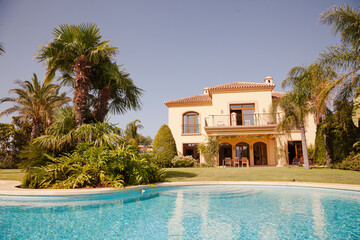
[164,146]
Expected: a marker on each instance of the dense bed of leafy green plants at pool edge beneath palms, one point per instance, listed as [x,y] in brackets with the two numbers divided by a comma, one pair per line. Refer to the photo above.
[90,166]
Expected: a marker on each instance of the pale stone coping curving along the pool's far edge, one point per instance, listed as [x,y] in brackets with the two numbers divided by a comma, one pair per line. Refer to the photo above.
[10,187]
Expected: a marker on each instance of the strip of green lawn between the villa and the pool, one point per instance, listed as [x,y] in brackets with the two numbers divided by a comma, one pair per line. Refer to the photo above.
[324,175]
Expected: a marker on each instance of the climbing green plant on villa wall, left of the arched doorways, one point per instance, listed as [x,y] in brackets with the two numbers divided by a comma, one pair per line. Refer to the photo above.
[209,149]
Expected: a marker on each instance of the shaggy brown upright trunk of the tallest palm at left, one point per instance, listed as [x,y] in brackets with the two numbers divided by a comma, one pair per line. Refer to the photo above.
[81,90]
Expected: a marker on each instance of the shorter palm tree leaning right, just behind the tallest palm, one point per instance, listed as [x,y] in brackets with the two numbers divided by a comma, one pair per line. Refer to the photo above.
[114,91]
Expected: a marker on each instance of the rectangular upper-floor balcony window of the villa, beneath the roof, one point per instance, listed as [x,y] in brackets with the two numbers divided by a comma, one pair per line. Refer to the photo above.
[244,114]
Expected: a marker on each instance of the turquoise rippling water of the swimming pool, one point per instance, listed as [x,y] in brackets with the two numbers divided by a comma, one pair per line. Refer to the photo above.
[188,212]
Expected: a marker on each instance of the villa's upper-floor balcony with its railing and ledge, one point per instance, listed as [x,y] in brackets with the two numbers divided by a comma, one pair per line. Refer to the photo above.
[241,124]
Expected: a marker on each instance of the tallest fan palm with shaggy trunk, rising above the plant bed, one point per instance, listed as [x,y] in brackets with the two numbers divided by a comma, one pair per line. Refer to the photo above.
[74,50]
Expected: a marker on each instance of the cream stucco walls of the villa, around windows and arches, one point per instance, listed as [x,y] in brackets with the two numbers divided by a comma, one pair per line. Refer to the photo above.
[221,106]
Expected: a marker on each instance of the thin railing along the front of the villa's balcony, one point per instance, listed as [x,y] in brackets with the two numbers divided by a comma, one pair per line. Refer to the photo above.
[233,120]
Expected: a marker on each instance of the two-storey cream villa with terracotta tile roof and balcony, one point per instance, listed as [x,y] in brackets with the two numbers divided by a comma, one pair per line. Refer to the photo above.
[238,115]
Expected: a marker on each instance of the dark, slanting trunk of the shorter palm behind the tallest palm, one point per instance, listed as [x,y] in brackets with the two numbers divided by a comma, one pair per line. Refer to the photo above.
[101,104]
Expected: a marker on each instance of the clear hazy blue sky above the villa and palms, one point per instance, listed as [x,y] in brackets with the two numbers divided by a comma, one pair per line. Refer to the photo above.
[173,48]
